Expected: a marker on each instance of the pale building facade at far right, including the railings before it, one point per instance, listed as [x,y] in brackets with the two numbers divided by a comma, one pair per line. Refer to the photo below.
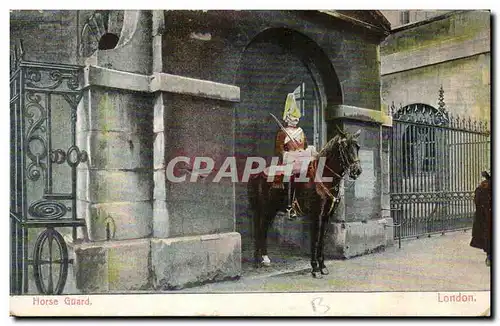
[436,85]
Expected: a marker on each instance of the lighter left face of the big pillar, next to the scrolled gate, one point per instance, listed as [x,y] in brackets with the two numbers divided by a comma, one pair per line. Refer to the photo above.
[115,188]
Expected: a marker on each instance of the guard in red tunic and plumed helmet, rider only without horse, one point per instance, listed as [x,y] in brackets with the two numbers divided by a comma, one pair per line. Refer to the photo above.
[292,150]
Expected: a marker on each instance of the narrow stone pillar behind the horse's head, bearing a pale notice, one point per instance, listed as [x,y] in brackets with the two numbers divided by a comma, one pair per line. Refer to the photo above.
[362,222]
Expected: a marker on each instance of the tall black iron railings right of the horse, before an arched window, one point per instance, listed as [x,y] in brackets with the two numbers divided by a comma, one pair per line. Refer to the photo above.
[436,164]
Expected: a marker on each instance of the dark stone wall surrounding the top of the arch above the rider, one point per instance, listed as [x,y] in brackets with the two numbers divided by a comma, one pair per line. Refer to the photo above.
[209,45]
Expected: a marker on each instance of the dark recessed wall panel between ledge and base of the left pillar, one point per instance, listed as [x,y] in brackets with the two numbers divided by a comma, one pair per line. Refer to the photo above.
[196,127]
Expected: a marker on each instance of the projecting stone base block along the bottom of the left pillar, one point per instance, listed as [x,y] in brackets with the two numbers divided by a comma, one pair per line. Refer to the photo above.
[156,264]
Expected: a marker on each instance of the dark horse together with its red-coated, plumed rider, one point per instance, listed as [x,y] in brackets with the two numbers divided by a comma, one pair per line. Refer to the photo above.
[317,187]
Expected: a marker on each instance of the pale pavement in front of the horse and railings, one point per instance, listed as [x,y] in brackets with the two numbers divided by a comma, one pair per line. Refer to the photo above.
[439,263]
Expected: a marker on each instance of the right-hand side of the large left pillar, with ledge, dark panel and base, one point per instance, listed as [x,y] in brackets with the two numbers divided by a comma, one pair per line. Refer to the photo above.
[193,225]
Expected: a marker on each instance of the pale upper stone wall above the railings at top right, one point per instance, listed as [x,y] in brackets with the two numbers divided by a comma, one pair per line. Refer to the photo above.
[453,52]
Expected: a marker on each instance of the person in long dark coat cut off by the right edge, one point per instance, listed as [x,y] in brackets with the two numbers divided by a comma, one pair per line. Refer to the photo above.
[482,227]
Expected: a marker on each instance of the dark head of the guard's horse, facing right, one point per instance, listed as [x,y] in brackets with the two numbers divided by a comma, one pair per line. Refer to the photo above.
[342,150]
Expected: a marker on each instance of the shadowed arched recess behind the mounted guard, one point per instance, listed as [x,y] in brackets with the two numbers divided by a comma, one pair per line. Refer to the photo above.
[278,62]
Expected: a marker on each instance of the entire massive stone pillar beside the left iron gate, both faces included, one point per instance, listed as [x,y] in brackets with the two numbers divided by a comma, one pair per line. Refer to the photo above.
[146,232]
